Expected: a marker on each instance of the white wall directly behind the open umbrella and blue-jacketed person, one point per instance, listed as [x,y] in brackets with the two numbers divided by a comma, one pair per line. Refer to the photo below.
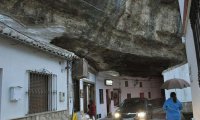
[182,72]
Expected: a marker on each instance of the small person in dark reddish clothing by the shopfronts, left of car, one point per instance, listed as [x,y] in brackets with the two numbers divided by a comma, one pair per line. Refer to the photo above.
[92,109]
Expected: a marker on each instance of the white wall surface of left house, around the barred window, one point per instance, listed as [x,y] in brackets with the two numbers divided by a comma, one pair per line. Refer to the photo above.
[15,60]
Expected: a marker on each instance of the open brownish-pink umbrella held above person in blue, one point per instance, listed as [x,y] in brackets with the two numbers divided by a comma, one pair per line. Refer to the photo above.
[175,83]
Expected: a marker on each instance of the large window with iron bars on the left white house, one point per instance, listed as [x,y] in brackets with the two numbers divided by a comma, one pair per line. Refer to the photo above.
[42,92]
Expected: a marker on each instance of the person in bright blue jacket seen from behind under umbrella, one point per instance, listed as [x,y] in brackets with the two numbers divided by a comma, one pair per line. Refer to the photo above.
[173,107]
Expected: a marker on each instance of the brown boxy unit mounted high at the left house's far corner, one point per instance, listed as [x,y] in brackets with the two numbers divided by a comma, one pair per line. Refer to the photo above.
[80,69]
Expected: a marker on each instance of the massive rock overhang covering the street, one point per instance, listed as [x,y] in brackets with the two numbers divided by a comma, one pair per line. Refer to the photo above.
[132,37]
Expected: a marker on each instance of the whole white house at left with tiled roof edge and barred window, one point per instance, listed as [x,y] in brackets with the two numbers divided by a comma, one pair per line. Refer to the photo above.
[33,78]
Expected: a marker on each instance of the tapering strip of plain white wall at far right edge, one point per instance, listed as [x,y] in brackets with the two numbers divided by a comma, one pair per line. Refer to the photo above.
[192,61]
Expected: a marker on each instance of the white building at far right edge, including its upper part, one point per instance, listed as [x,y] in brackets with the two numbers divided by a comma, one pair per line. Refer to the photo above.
[190,10]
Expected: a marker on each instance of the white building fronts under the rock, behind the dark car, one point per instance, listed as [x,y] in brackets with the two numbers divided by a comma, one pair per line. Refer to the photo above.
[123,88]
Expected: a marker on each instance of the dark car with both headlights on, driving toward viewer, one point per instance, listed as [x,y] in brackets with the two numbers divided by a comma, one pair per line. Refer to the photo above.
[134,109]
